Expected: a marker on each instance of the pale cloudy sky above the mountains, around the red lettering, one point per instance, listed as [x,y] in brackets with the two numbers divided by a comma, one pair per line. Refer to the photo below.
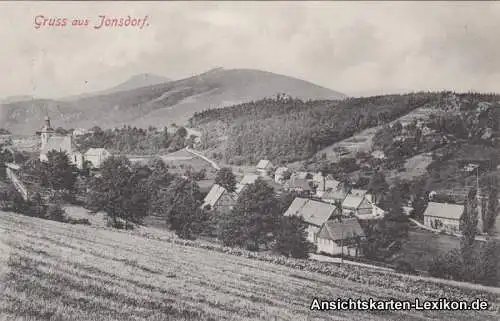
[352,47]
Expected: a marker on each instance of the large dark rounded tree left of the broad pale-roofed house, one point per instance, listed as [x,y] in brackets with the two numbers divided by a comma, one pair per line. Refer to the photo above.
[254,220]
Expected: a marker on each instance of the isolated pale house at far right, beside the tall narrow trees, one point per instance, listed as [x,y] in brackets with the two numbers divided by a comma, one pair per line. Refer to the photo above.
[443,216]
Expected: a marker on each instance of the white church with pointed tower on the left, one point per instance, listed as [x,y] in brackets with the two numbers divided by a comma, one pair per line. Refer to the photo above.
[52,141]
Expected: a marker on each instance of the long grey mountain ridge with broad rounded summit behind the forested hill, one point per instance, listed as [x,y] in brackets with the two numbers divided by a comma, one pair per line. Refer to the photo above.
[159,104]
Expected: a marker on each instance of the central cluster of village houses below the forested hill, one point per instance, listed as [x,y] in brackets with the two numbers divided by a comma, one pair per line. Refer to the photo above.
[333,212]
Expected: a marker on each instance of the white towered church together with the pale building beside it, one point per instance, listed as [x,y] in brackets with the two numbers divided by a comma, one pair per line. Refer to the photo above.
[65,143]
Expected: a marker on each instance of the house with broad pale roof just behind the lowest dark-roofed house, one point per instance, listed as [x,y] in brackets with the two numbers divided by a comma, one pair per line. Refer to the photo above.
[314,213]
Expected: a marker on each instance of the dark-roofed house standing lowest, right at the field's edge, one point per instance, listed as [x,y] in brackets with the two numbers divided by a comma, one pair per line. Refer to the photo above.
[342,237]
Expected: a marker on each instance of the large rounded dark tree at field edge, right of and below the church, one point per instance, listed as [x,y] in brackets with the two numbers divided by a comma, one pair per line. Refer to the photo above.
[120,191]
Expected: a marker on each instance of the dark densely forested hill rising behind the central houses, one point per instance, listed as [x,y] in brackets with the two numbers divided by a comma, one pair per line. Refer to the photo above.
[285,129]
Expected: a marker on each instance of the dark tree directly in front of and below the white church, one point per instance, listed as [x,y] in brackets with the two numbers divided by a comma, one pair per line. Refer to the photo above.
[60,172]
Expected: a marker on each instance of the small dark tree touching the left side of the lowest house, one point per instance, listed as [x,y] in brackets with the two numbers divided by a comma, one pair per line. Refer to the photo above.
[291,239]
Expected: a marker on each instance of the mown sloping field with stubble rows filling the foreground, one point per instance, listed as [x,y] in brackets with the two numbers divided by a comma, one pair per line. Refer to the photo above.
[54,271]
